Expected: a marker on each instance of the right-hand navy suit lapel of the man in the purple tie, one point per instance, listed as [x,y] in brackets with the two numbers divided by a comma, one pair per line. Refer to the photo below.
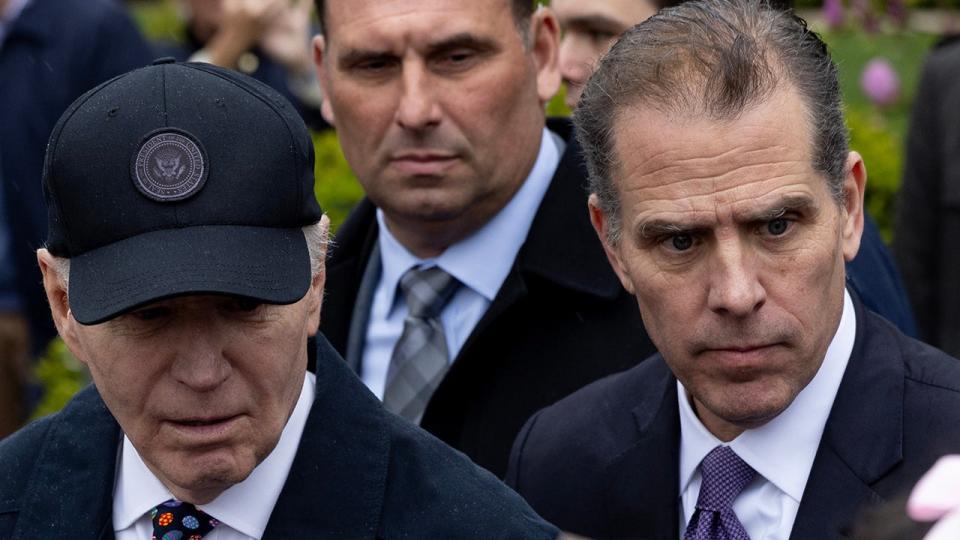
[863,438]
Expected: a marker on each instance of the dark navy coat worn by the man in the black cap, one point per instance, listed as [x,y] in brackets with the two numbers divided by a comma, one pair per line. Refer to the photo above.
[360,472]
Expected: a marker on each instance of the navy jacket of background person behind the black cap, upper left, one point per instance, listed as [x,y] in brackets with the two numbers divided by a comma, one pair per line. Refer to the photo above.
[55,51]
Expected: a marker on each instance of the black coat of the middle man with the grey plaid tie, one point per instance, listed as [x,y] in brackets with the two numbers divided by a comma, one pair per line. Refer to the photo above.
[560,320]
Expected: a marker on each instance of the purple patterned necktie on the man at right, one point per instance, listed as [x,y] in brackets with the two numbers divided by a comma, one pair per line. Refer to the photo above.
[724,477]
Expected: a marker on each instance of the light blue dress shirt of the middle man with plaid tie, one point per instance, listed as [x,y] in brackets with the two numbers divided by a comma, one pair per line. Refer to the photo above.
[480,261]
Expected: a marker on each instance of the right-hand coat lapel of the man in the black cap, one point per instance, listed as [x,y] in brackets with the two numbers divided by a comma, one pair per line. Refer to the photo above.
[336,485]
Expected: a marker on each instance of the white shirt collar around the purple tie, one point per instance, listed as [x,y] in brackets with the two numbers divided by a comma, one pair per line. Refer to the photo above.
[782,450]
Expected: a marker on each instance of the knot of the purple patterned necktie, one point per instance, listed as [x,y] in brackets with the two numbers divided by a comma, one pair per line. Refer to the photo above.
[725,475]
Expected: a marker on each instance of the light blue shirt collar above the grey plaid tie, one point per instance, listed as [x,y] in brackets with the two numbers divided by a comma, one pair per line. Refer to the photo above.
[482,260]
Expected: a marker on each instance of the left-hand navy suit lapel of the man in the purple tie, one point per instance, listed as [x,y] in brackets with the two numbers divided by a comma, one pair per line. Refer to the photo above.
[642,497]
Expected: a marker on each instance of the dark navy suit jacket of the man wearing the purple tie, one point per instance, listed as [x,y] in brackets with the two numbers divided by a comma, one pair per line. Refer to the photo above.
[604,462]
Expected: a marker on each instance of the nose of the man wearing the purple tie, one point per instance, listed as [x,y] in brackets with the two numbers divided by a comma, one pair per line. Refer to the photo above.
[735,287]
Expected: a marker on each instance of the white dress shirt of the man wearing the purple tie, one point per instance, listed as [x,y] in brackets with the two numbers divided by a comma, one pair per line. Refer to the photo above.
[781,451]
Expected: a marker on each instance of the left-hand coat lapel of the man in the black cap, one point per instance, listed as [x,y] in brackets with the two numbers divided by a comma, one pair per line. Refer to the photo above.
[76,467]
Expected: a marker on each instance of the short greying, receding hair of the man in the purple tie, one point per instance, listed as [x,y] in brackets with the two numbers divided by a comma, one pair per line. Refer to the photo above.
[714,58]
